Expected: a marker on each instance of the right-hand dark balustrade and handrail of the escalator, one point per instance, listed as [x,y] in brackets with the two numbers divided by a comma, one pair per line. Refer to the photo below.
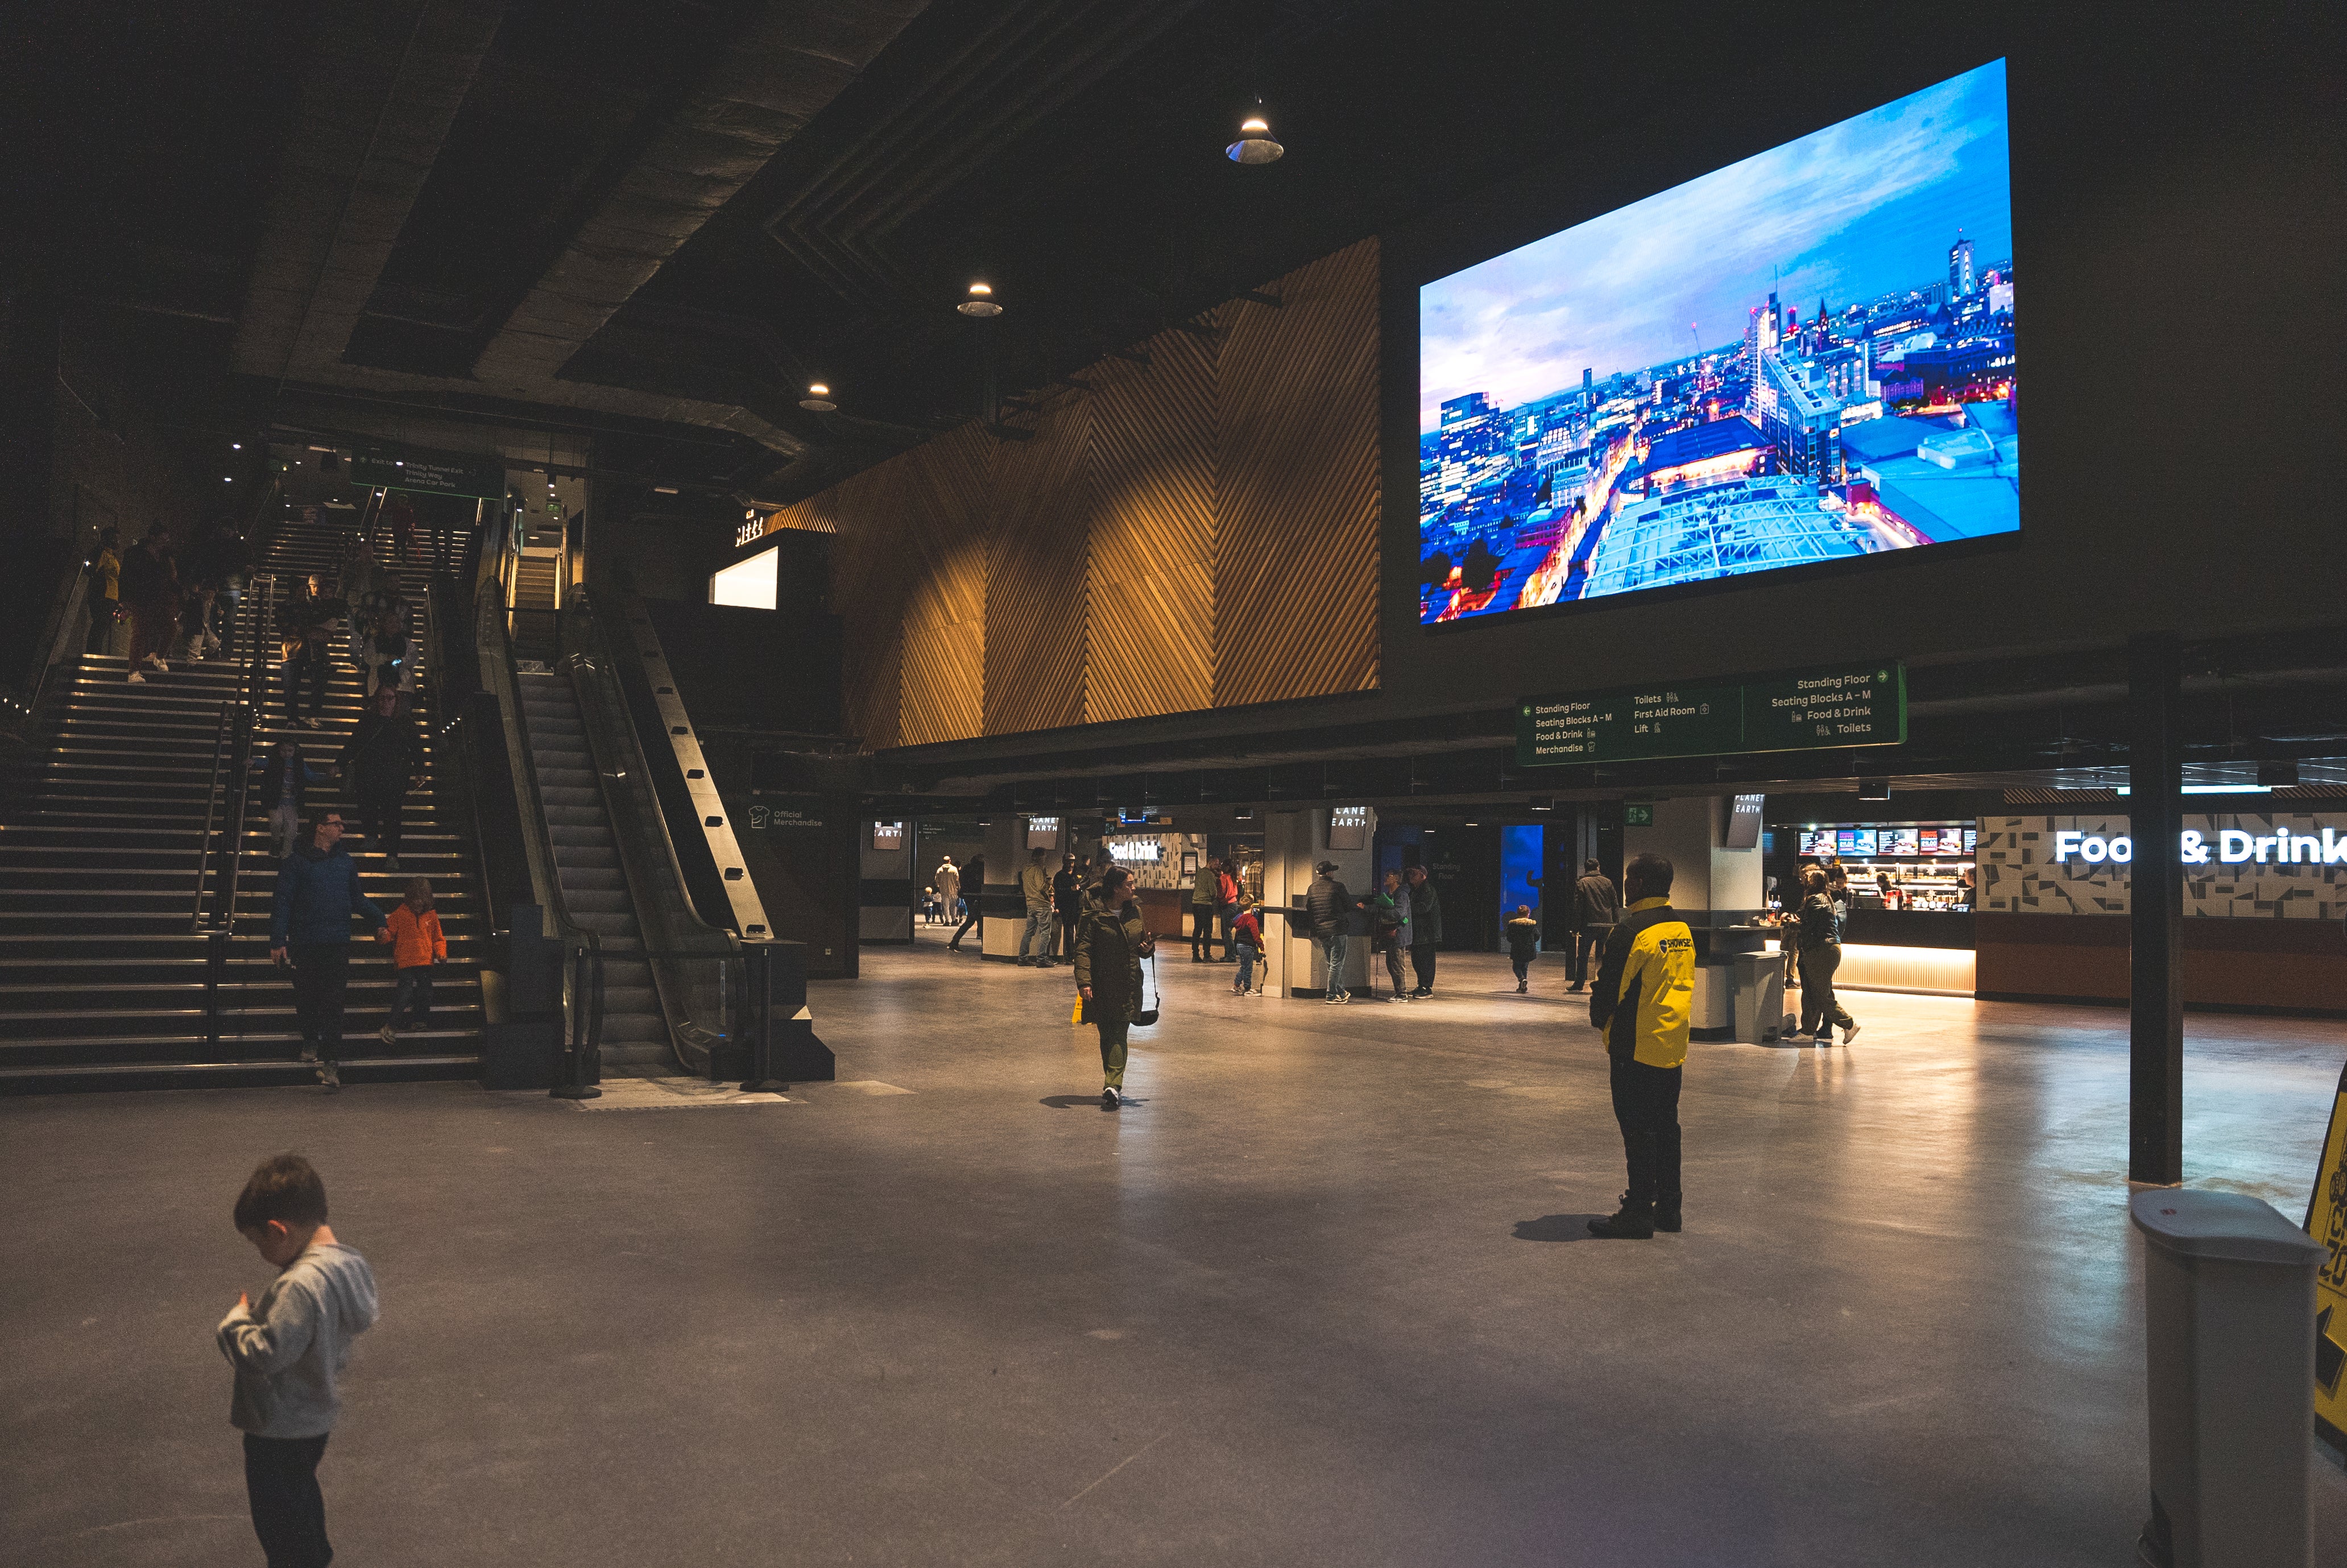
[696,966]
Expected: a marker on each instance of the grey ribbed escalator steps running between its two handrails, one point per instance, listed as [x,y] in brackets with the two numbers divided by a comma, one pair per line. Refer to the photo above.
[588,865]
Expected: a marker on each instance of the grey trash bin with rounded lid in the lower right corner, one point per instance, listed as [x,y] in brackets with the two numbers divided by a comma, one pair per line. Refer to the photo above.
[2228,1327]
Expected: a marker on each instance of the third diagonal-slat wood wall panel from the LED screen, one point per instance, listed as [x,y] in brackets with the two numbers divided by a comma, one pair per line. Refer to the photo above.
[1036,543]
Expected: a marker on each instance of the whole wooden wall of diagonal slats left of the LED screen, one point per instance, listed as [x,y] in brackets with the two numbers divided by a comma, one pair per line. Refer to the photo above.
[1186,534]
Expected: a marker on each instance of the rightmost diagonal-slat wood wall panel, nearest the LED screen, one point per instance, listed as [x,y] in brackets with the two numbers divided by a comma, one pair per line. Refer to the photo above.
[1297,487]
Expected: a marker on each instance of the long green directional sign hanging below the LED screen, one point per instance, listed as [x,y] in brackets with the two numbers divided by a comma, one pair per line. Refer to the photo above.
[1804,710]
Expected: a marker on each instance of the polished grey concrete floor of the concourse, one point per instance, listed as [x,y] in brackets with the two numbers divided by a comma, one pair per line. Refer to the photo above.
[1323,1297]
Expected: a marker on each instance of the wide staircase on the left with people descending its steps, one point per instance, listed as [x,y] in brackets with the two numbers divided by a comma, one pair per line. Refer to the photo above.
[102,975]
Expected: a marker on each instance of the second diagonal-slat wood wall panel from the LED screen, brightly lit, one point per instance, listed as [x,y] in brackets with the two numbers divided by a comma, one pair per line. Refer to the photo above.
[1151,569]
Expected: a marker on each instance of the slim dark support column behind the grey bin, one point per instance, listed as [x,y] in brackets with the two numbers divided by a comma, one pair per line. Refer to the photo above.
[2156,1147]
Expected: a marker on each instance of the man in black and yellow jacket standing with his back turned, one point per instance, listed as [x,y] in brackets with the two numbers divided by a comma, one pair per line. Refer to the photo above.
[1644,999]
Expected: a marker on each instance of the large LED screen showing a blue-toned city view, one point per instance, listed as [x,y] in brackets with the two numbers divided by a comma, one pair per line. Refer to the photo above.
[1794,360]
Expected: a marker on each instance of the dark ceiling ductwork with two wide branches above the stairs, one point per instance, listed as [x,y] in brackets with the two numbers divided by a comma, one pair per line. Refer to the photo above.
[381,93]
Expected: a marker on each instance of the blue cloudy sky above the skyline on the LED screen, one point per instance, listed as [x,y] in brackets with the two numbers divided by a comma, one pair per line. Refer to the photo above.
[1848,212]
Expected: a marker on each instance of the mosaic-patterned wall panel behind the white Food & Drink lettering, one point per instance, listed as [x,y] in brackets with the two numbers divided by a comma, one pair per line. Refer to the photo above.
[2022,877]
